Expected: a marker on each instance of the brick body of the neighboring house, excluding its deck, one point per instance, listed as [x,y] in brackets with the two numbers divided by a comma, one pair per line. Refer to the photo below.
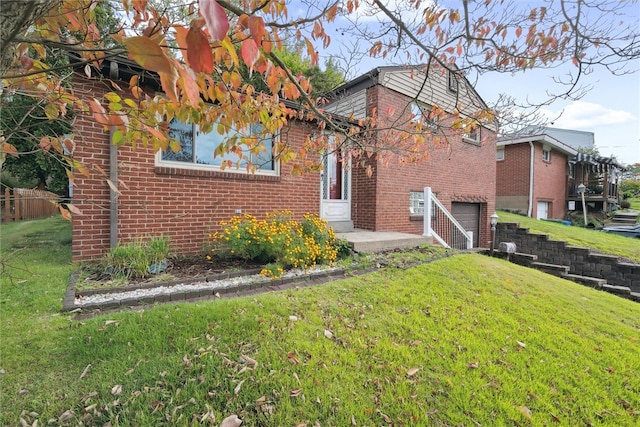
[531,175]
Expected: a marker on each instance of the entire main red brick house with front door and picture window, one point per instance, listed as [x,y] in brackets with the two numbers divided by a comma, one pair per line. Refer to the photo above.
[184,198]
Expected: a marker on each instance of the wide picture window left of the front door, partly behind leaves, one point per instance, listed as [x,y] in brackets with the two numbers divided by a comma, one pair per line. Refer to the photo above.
[199,149]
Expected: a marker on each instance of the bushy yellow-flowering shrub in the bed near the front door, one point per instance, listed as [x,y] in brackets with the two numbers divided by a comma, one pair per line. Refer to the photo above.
[277,240]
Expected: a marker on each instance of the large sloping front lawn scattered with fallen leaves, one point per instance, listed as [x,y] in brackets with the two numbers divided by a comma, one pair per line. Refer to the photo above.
[466,340]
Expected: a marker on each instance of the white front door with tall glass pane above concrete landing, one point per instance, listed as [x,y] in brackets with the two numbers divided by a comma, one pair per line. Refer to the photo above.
[335,189]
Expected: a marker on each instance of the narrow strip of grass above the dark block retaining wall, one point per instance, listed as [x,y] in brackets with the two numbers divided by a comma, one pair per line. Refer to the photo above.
[608,243]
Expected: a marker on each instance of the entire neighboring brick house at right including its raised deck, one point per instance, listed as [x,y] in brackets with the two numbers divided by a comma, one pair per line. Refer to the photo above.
[540,175]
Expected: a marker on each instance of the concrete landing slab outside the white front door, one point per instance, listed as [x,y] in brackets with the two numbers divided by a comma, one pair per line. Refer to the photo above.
[378,241]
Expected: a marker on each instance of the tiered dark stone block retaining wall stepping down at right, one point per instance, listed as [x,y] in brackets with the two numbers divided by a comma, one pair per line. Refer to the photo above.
[582,261]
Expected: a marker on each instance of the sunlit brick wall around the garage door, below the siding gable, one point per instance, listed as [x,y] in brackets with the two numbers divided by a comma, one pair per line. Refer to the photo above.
[457,171]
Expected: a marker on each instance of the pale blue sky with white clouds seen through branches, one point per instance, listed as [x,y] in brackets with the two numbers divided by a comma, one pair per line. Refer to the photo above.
[610,107]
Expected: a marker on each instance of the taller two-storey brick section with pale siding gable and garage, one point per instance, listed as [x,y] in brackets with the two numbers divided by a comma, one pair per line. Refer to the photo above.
[460,171]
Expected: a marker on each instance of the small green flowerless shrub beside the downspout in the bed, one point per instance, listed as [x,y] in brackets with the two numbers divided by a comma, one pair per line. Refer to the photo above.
[134,259]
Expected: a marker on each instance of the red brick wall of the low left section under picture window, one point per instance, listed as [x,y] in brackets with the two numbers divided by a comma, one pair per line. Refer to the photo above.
[184,205]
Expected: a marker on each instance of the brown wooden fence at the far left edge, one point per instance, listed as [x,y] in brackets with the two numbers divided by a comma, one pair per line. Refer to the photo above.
[23,203]
